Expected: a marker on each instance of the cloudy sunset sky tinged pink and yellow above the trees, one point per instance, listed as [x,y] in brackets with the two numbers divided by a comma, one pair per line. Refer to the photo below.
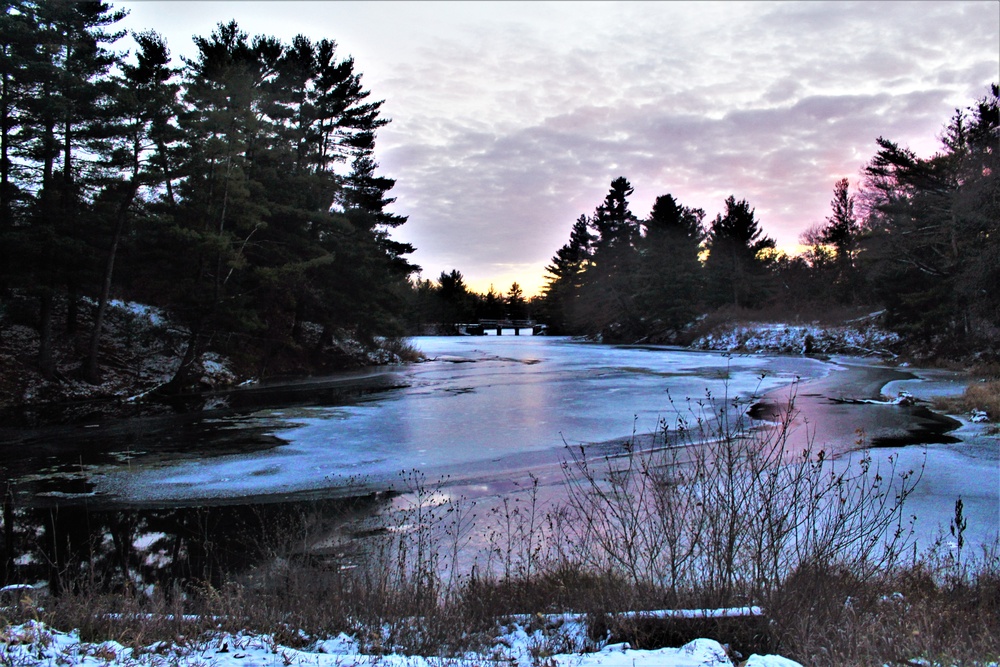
[511,119]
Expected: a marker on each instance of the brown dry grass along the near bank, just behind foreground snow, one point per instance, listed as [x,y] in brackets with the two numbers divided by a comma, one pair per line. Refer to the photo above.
[818,617]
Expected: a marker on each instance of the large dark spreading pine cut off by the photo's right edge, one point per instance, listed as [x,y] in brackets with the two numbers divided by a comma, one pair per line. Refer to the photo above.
[931,245]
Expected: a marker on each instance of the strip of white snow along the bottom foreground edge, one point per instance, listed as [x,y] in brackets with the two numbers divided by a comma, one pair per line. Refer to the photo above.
[35,644]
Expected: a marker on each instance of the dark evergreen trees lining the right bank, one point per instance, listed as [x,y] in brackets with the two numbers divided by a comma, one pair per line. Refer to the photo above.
[921,240]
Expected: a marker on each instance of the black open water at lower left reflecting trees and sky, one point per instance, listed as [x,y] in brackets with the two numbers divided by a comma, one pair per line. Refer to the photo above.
[65,543]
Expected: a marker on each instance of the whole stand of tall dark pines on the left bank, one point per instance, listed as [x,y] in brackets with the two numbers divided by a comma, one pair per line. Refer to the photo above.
[239,192]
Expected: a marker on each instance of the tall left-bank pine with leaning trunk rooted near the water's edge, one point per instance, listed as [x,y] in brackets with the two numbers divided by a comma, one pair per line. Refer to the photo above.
[221,206]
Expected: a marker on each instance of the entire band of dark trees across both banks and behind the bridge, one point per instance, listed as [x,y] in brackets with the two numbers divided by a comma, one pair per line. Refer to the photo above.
[240,193]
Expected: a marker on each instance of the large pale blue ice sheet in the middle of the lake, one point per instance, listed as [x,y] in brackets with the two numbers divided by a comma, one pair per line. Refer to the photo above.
[512,397]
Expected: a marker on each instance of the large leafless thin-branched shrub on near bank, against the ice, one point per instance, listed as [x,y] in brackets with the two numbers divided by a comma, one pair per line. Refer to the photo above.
[721,506]
